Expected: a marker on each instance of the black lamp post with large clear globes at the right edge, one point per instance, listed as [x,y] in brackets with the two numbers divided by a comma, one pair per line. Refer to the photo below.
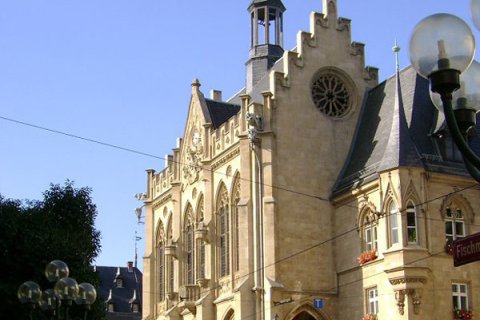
[442,47]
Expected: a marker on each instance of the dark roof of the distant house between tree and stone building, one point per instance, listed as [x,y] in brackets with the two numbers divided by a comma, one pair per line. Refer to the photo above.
[120,296]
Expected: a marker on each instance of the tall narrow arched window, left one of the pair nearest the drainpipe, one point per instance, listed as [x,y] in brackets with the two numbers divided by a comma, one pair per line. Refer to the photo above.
[223,225]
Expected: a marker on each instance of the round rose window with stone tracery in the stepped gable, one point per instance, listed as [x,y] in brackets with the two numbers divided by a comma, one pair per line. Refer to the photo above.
[331,94]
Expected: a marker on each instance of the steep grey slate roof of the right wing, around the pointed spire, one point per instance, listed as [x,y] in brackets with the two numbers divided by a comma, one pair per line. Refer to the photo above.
[395,128]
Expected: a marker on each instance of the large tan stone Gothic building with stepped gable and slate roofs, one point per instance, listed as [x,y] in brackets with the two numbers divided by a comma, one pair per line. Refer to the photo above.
[315,193]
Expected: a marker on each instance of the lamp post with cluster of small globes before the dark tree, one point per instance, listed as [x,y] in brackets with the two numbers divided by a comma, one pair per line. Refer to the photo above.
[66,290]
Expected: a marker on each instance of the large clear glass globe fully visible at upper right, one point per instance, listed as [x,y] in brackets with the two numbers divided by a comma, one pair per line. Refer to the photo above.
[441,41]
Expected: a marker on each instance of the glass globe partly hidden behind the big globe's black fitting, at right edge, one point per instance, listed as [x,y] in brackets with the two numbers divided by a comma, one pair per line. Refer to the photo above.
[468,96]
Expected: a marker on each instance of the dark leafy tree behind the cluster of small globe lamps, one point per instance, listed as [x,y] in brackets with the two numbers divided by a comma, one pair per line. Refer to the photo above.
[33,233]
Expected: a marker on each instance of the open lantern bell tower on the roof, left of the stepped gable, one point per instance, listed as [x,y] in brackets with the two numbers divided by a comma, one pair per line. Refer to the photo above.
[266,46]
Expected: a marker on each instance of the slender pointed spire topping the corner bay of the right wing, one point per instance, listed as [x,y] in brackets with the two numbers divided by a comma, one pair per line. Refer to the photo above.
[400,150]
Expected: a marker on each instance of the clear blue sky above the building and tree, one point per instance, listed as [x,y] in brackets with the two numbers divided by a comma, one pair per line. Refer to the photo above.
[119,71]
